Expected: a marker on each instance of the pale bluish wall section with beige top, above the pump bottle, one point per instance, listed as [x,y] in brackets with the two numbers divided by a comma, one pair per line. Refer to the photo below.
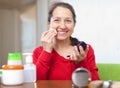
[28,37]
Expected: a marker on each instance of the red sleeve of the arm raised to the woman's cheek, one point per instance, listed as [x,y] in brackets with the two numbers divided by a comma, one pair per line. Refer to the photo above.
[42,60]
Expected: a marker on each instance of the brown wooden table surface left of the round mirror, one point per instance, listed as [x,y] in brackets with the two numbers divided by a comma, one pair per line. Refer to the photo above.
[43,84]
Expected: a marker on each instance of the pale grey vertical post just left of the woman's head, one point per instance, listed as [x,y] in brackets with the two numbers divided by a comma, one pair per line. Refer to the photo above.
[42,24]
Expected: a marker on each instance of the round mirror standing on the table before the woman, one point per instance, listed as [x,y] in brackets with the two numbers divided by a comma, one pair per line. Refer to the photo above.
[80,78]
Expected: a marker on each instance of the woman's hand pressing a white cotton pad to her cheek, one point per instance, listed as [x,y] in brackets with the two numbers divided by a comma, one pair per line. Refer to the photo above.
[47,39]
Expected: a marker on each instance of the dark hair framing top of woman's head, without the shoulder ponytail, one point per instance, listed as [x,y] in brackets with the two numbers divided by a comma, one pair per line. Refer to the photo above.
[61,4]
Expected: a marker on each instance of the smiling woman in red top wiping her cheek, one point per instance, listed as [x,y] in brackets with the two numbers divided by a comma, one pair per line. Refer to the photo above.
[59,56]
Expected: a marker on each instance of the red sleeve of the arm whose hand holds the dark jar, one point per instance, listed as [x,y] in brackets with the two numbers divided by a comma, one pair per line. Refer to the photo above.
[91,64]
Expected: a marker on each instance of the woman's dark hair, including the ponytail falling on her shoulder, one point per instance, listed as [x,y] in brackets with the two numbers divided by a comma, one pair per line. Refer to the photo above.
[74,41]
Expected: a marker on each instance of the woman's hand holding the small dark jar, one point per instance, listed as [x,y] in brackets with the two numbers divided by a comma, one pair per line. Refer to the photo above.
[79,56]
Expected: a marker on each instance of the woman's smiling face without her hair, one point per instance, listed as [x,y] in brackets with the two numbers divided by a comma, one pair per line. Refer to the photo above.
[62,21]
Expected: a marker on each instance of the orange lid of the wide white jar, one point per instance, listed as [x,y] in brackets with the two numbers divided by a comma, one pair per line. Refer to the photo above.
[12,67]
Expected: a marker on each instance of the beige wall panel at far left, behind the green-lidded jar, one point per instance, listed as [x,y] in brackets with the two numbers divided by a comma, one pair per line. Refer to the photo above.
[9,33]
